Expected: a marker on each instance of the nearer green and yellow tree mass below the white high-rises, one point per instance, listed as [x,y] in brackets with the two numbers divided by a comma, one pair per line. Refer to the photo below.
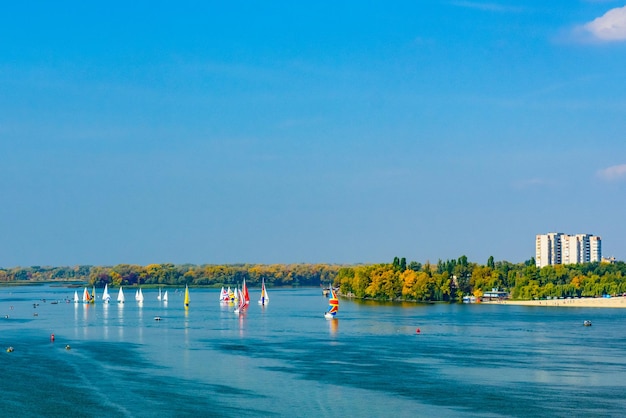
[450,280]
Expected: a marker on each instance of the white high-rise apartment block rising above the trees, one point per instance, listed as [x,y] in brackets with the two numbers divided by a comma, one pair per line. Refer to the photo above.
[558,248]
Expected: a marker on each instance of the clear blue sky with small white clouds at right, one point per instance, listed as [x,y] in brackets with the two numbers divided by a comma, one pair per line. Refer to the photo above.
[283,132]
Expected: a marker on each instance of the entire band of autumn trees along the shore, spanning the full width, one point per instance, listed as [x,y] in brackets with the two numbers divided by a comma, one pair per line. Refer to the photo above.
[446,281]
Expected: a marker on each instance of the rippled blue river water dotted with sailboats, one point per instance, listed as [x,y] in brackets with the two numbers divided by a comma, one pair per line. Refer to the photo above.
[286,360]
